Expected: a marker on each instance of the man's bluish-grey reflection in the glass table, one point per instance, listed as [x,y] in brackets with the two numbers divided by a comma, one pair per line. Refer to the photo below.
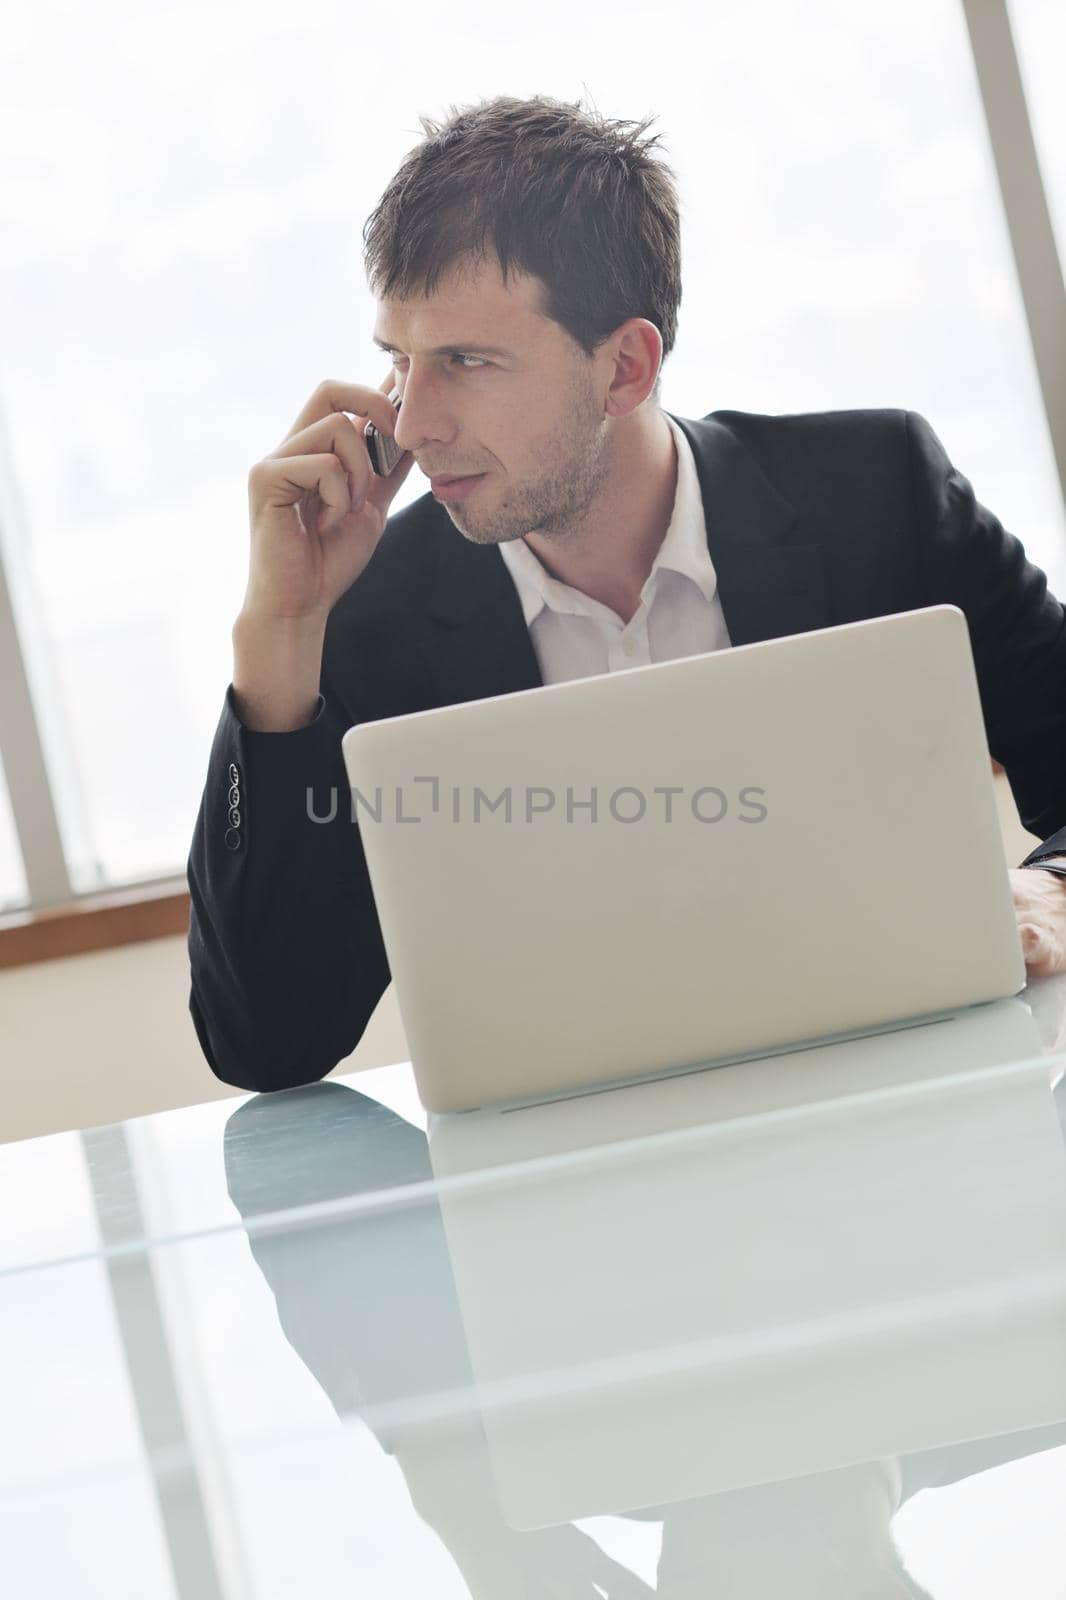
[369,1305]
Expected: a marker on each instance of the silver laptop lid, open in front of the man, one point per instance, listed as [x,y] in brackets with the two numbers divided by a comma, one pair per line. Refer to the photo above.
[691,863]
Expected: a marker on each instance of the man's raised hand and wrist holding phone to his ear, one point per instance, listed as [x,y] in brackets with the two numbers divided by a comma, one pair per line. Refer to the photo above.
[318,510]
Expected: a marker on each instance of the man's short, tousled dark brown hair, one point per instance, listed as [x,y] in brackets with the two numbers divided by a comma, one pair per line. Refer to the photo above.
[556,191]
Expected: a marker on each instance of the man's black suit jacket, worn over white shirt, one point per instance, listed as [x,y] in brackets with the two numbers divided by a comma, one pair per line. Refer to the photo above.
[812,521]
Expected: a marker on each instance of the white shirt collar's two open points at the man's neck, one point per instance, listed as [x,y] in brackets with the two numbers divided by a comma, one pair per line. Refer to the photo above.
[684,551]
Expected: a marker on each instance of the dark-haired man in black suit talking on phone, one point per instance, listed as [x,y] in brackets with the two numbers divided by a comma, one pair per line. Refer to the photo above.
[527,268]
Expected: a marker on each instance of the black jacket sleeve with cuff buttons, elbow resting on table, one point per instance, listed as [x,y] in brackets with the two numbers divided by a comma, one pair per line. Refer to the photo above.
[284,942]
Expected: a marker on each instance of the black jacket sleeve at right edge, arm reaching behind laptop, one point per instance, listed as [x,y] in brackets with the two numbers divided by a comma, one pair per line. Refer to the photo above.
[1017,631]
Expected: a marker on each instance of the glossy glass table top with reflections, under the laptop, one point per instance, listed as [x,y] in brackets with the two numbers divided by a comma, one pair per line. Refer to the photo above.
[788,1329]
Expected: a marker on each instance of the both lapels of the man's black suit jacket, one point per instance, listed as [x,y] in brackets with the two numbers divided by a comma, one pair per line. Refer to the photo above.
[769,583]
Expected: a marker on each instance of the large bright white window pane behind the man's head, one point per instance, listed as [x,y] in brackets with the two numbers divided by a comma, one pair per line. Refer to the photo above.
[186,193]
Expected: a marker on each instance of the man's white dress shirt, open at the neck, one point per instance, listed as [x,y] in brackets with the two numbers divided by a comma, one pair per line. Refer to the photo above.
[679,612]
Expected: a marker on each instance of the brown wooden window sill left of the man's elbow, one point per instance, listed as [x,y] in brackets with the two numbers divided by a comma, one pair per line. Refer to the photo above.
[97,922]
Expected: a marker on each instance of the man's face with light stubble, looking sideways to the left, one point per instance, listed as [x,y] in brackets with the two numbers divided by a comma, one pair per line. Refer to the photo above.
[492,386]
